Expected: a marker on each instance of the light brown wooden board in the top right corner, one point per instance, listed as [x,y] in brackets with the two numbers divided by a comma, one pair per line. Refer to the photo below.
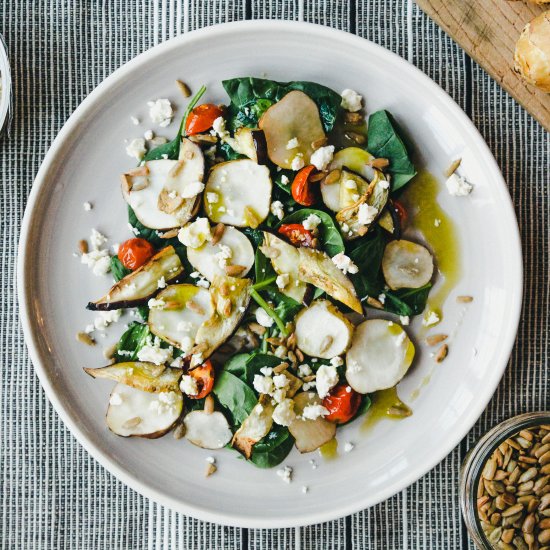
[488,30]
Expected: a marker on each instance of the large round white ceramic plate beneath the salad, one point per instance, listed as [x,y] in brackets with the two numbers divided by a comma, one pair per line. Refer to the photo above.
[83,165]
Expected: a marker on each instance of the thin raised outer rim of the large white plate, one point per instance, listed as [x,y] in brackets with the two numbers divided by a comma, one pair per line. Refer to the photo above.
[231,518]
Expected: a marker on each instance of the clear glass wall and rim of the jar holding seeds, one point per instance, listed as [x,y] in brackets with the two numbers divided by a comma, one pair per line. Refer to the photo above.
[470,471]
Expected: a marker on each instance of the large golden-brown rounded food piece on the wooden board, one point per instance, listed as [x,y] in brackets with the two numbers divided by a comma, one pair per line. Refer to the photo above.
[532,55]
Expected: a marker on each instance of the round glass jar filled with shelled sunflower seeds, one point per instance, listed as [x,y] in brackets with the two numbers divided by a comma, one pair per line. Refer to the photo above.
[505,485]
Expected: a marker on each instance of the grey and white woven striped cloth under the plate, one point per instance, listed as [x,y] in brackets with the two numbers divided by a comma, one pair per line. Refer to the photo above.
[52,493]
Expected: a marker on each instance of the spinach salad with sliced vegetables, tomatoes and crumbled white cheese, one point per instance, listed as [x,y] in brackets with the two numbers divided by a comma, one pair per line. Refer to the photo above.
[268,240]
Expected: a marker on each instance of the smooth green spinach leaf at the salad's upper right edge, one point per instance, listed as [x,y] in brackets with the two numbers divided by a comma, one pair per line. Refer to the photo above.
[384,142]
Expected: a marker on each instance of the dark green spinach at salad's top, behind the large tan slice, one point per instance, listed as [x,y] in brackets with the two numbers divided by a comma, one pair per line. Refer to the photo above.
[248,95]
